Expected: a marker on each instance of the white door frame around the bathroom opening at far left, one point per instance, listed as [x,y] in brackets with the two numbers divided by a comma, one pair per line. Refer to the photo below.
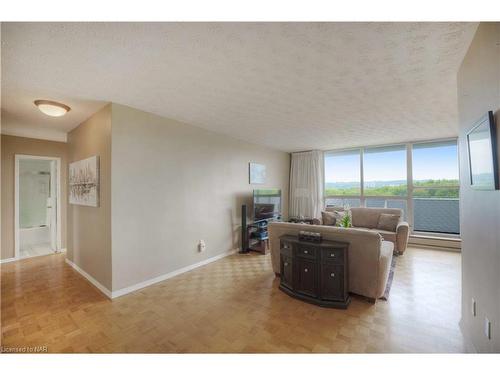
[19,157]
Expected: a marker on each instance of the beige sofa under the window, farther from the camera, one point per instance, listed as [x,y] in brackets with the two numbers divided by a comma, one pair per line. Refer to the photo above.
[367,218]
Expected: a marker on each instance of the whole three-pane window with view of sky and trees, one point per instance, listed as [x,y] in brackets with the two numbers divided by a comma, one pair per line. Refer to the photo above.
[378,177]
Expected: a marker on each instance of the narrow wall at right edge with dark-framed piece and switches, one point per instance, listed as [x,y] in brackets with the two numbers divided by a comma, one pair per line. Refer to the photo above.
[479,92]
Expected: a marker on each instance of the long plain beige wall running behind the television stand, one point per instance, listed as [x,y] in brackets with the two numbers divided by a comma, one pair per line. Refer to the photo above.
[174,184]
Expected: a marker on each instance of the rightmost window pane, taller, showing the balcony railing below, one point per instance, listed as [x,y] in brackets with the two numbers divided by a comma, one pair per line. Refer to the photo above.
[436,187]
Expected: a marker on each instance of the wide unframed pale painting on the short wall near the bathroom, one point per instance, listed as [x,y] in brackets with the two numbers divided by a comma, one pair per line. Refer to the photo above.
[84,182]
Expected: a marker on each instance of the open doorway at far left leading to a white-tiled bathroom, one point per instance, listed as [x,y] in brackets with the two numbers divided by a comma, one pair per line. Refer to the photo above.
[37,206]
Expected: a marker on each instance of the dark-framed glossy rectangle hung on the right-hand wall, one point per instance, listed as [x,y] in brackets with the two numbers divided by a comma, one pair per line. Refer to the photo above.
[482,147]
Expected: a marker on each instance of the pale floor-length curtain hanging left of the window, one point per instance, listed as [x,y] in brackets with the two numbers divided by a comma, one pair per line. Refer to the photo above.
[306,184]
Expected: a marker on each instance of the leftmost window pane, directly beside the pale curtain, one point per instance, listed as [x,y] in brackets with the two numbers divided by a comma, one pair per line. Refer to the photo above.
[342,174]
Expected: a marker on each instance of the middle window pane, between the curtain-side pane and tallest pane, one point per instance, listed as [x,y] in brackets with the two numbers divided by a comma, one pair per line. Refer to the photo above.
[384,170]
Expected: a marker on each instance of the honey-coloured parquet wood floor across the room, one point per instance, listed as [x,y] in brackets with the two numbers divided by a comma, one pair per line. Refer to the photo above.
[232,305]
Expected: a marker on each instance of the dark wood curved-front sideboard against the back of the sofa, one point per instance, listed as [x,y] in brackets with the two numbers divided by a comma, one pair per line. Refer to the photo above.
[315,272]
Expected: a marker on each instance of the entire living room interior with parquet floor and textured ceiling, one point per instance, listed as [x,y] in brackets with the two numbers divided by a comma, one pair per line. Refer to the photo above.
[250,187]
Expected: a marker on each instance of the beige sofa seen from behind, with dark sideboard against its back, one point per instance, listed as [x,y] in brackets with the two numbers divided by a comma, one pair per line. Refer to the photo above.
[369,255]
